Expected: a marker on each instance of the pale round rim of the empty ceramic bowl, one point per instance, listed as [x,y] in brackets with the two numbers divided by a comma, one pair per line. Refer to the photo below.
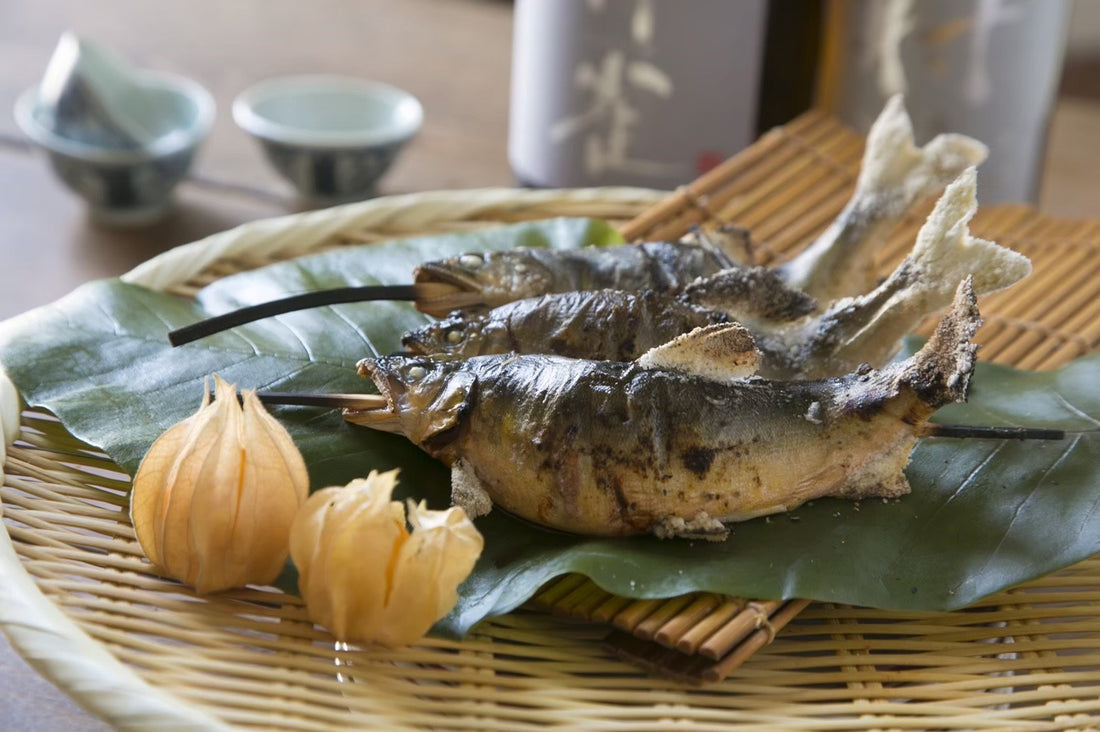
[258,126]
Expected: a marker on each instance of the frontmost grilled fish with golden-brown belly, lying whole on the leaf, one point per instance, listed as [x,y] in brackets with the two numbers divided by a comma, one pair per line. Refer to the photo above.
[614,450]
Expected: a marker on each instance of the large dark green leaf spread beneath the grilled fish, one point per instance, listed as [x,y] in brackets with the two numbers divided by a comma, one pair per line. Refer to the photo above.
[984,515]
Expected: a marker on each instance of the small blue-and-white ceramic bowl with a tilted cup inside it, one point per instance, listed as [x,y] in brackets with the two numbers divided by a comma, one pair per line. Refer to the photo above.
[128,185]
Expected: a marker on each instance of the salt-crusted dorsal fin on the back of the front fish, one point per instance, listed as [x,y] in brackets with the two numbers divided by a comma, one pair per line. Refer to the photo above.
[719,353]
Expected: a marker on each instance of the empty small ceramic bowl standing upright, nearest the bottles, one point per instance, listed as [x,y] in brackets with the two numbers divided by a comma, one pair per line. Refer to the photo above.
[332,137]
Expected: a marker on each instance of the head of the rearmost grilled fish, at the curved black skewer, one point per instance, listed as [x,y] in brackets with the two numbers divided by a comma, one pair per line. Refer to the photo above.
[481,280]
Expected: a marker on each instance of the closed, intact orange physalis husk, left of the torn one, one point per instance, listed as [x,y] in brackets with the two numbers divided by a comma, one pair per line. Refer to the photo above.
[214,498]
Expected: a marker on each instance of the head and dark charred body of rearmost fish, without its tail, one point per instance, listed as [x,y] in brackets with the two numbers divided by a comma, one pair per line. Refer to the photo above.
[499,278]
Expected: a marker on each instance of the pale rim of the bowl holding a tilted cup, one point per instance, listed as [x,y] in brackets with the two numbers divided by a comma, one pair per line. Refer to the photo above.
[167,145]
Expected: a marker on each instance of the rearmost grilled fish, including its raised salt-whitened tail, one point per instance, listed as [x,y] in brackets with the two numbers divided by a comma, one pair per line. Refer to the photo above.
[895,176]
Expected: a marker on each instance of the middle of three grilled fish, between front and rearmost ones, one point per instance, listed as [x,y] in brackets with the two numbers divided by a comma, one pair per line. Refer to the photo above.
[795,343]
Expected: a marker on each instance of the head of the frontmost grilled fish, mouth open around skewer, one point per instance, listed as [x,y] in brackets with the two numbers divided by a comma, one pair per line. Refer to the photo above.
[426,400]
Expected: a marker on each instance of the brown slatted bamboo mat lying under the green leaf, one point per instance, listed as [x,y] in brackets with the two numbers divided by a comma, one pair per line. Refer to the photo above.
[786,190]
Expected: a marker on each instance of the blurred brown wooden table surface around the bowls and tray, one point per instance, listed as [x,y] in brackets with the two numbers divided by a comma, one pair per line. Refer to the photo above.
[454,54]
